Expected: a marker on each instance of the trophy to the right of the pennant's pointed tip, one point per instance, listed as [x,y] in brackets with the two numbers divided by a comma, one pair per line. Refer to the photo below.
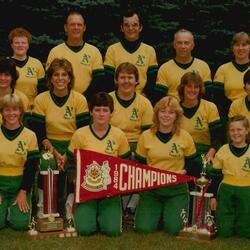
[202,226]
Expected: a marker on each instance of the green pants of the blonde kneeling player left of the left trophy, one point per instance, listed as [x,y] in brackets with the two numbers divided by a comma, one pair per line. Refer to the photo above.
[9,190]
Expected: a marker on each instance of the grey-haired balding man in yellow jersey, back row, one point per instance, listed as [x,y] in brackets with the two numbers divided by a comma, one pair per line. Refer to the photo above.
[170,73]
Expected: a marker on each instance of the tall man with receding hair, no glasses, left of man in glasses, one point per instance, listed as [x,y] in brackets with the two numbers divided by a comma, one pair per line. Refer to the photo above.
[85,58]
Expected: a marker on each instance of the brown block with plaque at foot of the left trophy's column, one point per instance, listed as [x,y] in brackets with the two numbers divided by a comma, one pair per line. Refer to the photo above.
[47,225]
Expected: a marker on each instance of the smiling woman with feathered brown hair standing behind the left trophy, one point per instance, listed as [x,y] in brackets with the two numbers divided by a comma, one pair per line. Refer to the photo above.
[56,115]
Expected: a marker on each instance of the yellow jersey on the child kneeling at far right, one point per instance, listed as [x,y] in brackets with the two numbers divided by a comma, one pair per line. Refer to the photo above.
[235,168]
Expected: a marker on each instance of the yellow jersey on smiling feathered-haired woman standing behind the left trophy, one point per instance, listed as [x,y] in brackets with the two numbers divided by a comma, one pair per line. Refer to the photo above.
[60,119]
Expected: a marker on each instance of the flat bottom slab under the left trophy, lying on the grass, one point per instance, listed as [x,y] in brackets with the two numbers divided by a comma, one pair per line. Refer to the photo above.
[55,234]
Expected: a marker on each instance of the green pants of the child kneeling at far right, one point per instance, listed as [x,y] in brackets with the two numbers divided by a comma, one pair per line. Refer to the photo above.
[233,211]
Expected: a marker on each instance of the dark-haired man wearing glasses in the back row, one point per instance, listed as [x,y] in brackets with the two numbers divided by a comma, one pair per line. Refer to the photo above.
[131,49]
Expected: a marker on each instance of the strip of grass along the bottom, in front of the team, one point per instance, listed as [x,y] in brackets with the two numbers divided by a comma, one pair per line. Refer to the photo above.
[129,240]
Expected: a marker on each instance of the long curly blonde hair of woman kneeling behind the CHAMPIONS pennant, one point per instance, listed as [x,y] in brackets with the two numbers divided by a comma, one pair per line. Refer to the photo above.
[173,104]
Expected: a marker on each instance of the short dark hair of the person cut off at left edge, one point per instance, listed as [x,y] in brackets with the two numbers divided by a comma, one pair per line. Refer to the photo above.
[7,65]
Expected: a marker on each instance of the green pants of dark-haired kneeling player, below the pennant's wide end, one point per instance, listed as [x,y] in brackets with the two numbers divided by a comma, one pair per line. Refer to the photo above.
[105,213]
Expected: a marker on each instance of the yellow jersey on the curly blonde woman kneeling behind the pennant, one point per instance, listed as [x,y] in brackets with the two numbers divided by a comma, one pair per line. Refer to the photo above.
[167,155]
